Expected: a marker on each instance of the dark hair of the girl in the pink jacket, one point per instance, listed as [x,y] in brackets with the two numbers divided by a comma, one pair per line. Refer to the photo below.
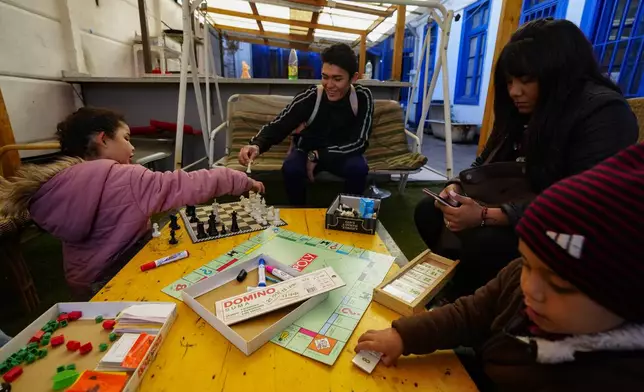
[75,133]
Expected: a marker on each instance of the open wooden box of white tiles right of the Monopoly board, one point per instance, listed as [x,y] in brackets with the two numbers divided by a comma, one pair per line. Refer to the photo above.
[413,286]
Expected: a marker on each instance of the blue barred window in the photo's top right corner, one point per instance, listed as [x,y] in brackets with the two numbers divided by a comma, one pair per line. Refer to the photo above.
[618,40]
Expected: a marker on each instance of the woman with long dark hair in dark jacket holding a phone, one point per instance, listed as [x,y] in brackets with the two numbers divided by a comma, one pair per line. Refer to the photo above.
[554,110]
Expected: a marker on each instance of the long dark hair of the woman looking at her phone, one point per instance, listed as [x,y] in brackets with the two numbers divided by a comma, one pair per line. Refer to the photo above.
[557,55]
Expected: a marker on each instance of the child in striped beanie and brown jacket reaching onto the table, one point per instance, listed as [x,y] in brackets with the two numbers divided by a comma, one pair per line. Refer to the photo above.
[566,316]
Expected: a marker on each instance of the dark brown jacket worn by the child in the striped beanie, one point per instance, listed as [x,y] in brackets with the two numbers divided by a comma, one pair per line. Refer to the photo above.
[515,361]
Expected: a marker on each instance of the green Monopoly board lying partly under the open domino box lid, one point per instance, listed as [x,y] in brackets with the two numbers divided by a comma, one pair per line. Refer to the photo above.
[323,332]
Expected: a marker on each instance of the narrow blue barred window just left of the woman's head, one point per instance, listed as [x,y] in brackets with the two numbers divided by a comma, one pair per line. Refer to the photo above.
[472,53]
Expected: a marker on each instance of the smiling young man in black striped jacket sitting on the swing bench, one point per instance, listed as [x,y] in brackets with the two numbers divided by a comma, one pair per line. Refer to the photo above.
[333,140]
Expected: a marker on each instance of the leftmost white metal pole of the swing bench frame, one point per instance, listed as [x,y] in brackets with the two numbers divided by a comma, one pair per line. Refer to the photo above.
[183,85]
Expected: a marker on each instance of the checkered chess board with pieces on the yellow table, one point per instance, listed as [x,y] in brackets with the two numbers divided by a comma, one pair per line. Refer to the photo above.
[245,222]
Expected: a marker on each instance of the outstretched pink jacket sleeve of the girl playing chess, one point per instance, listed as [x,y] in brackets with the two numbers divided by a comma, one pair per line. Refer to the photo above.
[156,191]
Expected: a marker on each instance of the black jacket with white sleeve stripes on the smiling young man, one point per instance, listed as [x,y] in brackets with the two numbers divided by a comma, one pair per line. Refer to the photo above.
[335,132]
